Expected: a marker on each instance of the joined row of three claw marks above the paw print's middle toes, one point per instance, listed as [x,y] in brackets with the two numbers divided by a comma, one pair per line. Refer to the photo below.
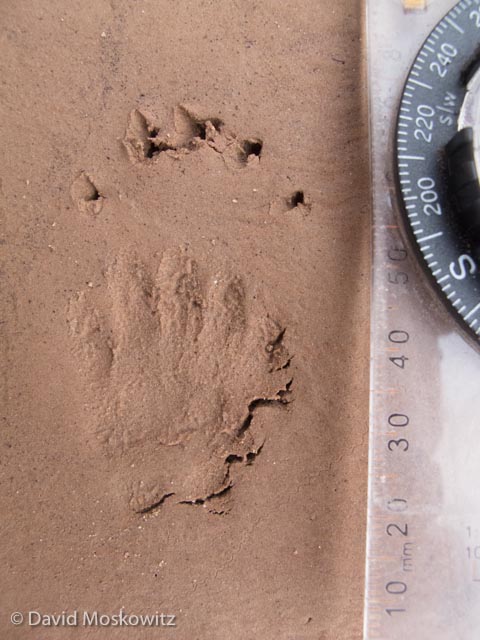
[145,140]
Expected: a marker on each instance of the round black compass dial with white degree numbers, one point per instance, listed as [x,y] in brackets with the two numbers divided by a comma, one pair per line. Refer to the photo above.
[438,158]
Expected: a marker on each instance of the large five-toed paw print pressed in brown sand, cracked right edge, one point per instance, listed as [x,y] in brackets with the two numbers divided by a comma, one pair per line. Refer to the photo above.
[177,364]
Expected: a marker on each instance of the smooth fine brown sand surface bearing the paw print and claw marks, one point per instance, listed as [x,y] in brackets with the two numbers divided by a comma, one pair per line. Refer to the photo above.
[185,269]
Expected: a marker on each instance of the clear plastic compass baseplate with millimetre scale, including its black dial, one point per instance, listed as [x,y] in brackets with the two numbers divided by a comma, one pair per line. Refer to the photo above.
[423,529]
